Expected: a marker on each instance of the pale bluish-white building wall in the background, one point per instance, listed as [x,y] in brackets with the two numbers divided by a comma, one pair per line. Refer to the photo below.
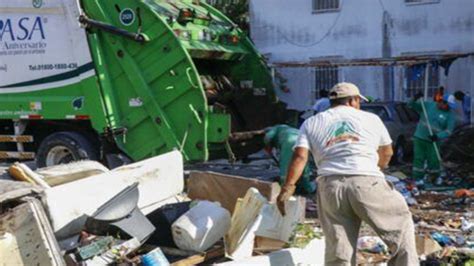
[289,31]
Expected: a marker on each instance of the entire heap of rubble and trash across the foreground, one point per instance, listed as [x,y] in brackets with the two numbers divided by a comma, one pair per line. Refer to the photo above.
[86,214]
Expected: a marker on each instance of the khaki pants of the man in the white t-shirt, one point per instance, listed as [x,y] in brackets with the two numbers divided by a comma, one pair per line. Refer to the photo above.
[345,201]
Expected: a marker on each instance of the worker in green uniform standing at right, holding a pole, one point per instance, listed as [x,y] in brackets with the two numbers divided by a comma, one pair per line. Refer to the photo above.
[441,118]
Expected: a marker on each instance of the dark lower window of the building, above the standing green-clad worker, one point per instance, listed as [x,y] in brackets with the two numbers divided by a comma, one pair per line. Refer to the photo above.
[415,80]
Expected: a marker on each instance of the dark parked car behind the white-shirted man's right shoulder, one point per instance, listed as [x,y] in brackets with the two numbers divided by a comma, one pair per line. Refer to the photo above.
[401,122]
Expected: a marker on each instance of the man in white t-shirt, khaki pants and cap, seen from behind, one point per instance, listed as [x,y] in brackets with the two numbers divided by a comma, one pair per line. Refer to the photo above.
[350,147]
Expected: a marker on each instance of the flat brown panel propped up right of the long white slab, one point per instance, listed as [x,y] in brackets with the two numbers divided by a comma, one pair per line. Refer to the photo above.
[226,189]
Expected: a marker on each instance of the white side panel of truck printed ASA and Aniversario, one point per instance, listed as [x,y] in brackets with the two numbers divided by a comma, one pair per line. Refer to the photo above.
[41,45]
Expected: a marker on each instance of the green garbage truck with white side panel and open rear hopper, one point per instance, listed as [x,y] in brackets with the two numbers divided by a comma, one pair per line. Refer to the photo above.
[123,80]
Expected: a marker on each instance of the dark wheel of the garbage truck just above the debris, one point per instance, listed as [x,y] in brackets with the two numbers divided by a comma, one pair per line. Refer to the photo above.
[64,147]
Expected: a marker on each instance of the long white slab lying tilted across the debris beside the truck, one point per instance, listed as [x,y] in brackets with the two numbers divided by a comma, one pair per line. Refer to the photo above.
[68,205]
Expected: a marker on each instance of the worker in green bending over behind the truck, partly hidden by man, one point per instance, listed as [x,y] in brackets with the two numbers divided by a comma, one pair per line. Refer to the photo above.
[283,138]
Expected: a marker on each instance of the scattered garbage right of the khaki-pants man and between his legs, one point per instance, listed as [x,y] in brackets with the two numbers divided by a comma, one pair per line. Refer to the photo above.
[444,224]
